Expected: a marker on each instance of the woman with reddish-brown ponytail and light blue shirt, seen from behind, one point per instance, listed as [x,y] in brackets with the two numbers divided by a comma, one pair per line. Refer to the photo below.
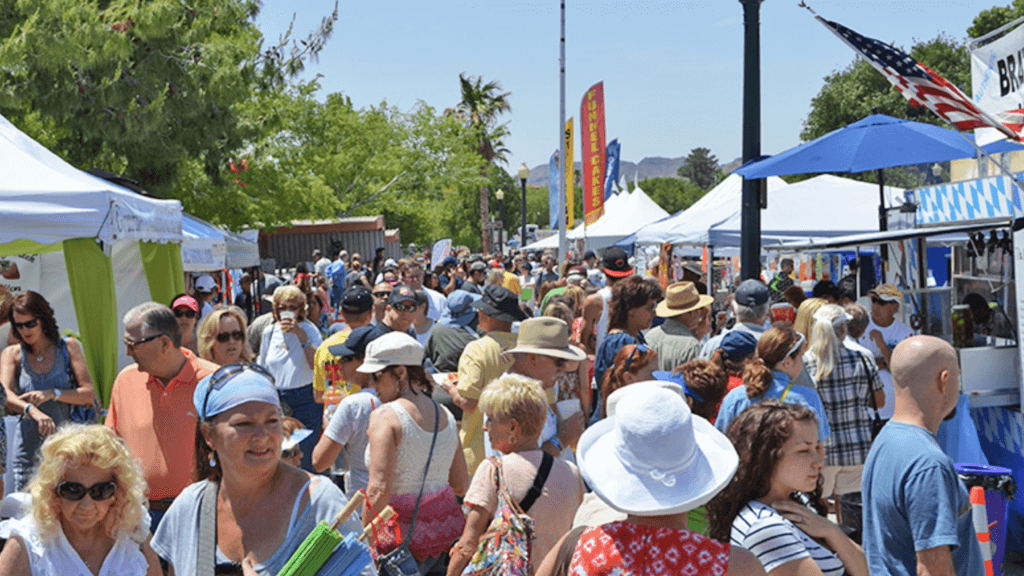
[778,362]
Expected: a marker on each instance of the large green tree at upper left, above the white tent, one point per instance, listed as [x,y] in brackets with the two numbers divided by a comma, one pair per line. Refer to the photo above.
[149,90]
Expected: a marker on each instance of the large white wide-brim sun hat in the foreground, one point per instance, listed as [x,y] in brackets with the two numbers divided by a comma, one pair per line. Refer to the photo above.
[654,458]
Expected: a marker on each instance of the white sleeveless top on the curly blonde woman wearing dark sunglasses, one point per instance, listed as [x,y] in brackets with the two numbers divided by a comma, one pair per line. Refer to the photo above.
[58,558]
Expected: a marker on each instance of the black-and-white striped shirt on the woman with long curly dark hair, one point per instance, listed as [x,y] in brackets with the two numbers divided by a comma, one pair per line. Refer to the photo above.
[776,541]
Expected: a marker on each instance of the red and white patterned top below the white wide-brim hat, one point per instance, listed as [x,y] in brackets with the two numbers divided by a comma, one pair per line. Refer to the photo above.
[622,549]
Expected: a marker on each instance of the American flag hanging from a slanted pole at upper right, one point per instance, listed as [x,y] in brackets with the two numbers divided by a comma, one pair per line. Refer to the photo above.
[921,86]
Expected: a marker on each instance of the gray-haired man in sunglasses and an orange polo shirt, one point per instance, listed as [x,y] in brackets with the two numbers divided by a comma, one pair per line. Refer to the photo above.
[152,403]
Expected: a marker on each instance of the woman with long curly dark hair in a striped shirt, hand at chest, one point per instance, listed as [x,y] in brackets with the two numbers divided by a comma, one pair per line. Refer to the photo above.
[782,521]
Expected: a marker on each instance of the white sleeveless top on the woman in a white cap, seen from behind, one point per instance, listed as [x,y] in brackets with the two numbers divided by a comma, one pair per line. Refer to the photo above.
[415,449]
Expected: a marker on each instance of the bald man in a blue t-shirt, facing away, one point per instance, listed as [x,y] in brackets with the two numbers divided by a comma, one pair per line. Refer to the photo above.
[917,511]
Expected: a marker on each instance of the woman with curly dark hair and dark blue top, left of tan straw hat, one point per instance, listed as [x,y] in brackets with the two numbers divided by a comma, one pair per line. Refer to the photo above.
[631,311]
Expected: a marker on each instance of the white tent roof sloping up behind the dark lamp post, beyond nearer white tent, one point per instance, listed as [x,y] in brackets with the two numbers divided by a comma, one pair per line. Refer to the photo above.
[692,227]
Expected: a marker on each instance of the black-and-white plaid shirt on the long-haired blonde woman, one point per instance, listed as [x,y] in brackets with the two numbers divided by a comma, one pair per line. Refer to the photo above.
[845,395]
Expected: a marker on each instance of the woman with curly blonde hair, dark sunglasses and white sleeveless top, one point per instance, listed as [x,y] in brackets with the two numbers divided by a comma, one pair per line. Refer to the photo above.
[89,514]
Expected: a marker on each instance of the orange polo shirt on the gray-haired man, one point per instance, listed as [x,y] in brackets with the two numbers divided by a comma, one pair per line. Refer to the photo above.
[159,424]
